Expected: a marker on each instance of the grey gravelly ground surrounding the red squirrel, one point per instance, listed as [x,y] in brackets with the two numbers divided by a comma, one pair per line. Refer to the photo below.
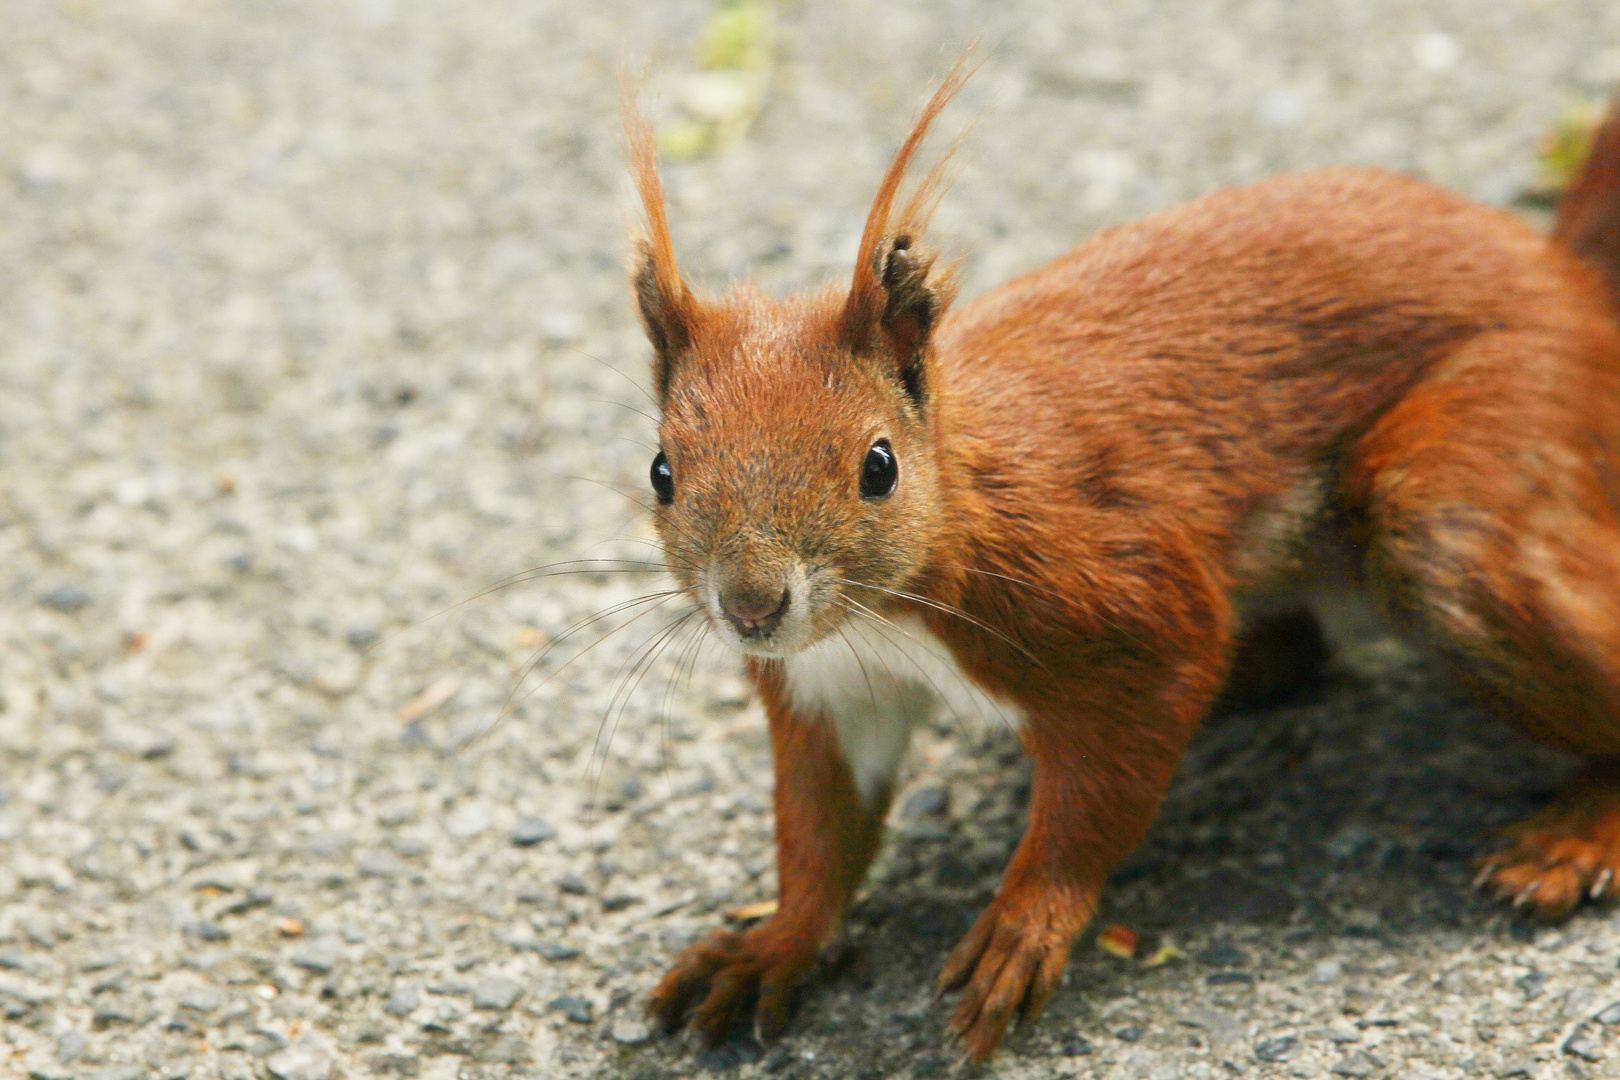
[313,326]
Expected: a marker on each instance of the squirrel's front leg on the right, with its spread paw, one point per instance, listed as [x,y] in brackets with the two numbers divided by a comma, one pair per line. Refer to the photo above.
[1101,773]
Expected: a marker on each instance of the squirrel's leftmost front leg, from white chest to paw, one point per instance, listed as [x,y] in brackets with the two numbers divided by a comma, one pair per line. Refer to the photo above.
[827,836]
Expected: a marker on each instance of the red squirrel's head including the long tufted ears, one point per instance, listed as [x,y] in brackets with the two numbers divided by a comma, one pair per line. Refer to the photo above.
[798,477]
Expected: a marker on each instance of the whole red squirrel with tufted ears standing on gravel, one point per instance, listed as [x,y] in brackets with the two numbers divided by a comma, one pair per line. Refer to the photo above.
[1073,501]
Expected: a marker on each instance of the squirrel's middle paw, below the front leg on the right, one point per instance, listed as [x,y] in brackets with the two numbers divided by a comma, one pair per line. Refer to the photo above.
[1007,966]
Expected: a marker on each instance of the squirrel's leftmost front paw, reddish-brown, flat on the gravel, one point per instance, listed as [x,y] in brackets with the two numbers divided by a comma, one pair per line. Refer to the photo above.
[715,982]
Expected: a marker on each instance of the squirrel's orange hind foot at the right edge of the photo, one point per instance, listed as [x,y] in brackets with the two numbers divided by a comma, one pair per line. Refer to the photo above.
[1564,854]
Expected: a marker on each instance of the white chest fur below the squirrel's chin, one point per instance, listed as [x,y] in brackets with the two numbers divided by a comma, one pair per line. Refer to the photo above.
[874,682]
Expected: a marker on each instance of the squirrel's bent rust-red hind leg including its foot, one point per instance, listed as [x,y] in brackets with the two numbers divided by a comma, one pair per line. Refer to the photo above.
[1494,534]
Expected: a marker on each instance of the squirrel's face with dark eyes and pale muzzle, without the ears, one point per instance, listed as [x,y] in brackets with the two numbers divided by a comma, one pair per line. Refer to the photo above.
[798,483]
